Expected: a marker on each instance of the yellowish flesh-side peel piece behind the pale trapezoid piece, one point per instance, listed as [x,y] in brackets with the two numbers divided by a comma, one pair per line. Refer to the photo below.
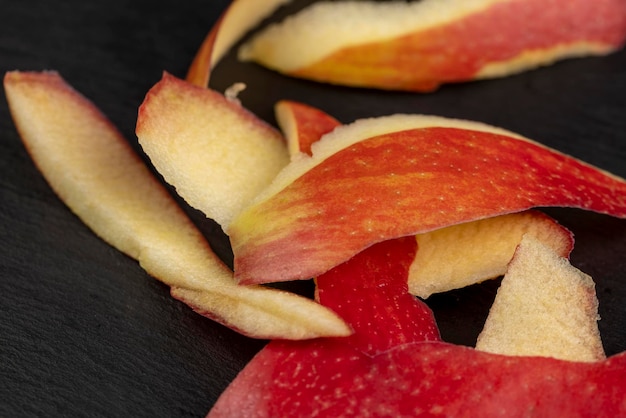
[468,253]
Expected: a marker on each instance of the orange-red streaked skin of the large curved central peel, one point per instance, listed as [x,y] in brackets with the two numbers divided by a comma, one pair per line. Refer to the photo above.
[405,183]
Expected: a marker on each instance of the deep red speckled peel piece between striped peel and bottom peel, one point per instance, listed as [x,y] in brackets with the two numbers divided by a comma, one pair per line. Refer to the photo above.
[370,292]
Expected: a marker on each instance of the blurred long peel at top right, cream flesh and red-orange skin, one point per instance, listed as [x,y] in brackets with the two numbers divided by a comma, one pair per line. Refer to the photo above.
[418,46]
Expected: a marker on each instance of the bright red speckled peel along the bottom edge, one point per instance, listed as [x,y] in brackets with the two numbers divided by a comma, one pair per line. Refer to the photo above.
[419,379]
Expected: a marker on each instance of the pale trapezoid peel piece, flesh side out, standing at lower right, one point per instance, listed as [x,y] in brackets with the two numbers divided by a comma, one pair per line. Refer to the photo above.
[544,307]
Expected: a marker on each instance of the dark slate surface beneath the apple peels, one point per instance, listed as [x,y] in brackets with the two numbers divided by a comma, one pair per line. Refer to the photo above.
[85,332]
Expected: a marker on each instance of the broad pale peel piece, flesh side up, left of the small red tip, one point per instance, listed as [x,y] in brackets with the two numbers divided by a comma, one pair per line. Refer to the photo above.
[216,153]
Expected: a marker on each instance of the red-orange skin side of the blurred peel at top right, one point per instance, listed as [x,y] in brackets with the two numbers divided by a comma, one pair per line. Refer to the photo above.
[457,51]
